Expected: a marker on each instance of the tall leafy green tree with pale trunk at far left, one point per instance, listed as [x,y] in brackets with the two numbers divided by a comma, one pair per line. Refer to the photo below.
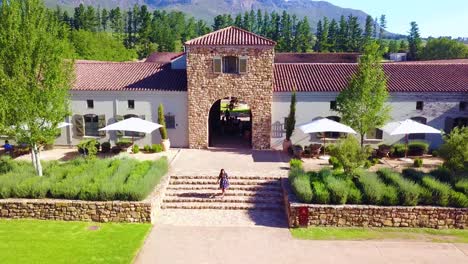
[34,77]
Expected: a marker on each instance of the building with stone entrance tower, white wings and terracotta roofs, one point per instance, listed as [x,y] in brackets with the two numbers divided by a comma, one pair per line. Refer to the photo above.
[234,65]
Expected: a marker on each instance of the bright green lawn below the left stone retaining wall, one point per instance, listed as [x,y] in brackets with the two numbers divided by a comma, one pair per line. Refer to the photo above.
[37,241]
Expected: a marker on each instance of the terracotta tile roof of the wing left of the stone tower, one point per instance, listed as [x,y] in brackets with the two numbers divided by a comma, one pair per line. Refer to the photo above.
[130,76]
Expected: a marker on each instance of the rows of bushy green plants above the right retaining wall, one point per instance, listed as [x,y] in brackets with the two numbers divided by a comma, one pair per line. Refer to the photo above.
[386,187]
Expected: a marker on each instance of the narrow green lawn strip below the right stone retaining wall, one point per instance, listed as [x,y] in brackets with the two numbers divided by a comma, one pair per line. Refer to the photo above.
[417,234]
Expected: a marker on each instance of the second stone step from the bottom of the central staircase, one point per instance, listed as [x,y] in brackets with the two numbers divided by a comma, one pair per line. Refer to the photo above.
[218,199]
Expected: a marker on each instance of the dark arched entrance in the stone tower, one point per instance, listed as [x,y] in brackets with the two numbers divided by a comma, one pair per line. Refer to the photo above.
[230,124]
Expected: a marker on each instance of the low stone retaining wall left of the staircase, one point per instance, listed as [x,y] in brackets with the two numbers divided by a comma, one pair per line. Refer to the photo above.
[68,210]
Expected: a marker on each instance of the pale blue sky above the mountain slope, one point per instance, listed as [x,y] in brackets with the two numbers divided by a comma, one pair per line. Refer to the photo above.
[434,17]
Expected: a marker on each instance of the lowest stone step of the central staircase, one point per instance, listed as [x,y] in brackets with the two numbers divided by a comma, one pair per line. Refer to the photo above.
[222,206]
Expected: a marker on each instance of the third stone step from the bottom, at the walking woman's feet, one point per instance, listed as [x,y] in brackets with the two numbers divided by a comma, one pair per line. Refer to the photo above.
[207,193]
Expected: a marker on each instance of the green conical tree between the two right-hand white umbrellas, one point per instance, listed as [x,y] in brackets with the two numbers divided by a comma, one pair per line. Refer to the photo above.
[362,104]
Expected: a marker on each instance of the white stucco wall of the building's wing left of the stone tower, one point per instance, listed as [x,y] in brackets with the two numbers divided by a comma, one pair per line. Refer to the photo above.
[112,103]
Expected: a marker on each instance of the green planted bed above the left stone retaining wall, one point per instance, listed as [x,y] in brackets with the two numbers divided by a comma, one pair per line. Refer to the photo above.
[91,180]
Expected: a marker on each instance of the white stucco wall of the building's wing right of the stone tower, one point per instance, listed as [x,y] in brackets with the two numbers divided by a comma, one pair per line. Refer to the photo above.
[437,107]
